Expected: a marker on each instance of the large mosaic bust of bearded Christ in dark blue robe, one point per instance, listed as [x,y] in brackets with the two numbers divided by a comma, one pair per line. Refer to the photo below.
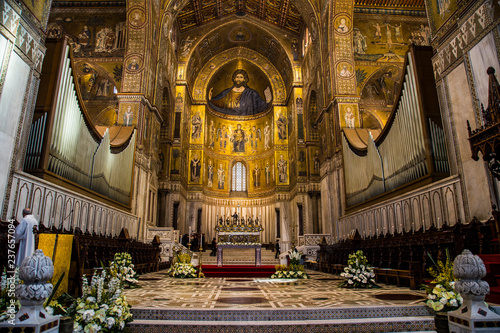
[240,100]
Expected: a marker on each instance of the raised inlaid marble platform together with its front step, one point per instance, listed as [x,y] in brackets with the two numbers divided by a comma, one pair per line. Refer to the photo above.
[165,304]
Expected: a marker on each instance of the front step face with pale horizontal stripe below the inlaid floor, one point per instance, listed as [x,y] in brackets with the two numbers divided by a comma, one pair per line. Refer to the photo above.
[358,319]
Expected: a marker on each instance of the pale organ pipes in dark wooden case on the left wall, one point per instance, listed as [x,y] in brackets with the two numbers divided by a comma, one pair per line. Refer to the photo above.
[65,144]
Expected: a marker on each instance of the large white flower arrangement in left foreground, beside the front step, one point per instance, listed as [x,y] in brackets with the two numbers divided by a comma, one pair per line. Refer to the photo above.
[102,306]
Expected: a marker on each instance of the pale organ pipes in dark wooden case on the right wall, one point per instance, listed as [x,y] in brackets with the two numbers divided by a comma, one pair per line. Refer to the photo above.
[411,147]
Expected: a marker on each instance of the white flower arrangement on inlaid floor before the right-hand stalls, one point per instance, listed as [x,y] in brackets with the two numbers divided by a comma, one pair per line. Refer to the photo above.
[358,273]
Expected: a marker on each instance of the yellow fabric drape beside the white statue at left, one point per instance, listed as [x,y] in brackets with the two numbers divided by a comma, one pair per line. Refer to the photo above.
[62,258]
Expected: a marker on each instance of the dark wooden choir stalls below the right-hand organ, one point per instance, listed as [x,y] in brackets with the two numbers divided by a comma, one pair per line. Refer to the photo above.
[402,259]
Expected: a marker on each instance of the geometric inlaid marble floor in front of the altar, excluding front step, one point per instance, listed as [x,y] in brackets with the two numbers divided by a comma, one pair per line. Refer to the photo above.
[321,291]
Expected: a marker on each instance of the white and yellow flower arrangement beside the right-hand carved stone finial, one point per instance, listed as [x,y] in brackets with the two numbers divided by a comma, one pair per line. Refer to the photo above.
[441,294]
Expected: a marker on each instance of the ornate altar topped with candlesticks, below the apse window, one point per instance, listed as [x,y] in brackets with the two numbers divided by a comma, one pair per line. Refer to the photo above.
[236,232]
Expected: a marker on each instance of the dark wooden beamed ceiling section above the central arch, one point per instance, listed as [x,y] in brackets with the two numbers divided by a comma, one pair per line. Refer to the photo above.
[279,12]
